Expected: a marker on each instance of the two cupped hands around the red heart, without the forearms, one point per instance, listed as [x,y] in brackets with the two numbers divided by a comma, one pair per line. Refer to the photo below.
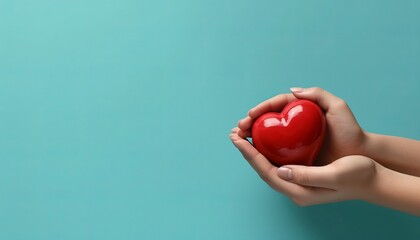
[343,173]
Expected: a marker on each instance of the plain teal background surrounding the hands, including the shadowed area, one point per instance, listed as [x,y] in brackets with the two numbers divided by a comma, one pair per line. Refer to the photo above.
[115,115]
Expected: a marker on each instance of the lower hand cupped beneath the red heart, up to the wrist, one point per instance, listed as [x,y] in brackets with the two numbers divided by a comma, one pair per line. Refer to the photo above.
[347,178]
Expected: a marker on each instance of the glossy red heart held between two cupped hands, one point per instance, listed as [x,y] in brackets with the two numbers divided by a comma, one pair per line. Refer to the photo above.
[294,136]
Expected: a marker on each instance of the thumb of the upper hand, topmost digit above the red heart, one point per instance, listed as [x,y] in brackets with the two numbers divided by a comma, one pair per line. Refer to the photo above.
[322,97]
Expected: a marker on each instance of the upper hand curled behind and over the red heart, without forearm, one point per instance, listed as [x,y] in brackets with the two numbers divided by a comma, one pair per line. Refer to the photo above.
[344,135]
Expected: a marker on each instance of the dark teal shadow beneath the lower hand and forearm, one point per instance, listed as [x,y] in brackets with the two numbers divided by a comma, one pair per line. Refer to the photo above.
[346,220]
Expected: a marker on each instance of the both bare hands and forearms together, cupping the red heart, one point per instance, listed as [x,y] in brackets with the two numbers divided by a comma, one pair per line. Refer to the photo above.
[353,164]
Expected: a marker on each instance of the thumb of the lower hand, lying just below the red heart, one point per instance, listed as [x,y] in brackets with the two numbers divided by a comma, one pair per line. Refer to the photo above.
[308,176]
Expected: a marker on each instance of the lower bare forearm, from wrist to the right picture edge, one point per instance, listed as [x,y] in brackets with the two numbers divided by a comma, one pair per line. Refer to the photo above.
[395,190]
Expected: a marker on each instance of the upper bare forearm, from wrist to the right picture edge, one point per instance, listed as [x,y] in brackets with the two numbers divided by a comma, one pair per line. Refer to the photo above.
[399,154]
